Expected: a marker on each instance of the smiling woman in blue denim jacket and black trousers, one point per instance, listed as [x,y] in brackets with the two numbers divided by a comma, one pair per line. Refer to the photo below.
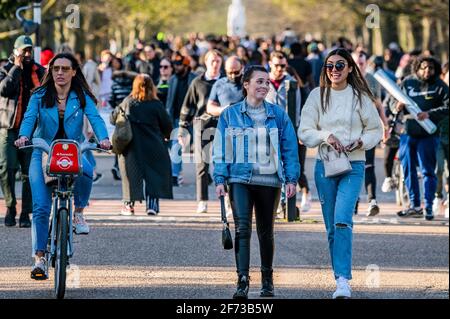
[255,152]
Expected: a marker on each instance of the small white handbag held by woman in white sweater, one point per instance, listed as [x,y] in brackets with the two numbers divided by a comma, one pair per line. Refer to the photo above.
[335,163]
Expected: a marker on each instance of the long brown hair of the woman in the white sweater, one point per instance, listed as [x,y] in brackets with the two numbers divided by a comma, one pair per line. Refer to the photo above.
[354,78]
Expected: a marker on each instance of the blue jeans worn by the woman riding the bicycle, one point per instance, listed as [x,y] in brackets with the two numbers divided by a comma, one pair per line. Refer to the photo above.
[42,198]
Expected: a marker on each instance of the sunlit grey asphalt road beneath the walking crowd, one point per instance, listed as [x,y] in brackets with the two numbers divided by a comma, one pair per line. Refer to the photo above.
[178,255]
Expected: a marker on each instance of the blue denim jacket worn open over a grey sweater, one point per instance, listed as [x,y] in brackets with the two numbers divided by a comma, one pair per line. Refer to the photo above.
[232,147]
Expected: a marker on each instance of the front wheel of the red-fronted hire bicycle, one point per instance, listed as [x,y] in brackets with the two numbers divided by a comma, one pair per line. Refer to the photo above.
[61,252]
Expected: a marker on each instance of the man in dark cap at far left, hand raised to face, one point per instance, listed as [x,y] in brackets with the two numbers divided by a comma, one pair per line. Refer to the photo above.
[17,79]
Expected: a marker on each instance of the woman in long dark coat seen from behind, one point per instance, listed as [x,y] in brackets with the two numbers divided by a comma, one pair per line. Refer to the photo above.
[146,159]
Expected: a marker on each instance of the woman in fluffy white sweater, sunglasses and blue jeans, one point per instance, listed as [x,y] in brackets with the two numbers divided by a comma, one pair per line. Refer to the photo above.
[342,113]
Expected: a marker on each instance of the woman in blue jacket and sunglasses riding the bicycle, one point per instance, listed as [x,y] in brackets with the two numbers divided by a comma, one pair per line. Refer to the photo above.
[55,111]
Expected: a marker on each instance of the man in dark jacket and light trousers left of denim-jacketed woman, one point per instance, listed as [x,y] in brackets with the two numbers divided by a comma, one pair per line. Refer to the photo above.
[194,107]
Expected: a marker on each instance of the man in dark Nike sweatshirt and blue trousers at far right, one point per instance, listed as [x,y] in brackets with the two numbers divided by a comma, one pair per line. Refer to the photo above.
[417,147]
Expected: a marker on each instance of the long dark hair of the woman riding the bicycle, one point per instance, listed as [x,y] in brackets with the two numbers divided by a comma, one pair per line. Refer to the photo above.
[78,83]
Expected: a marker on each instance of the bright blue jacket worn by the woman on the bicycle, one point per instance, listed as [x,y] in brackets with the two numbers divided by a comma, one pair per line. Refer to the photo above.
[48,121]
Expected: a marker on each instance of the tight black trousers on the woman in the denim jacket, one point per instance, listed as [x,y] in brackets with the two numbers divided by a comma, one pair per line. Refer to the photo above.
[265,201]
